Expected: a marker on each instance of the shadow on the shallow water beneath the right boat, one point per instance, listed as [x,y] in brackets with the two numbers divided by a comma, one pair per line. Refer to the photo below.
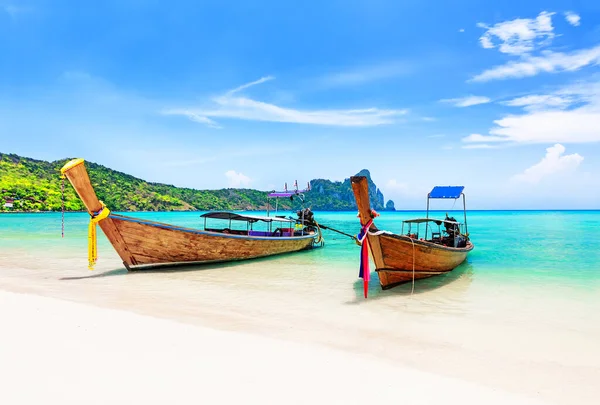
[460,278]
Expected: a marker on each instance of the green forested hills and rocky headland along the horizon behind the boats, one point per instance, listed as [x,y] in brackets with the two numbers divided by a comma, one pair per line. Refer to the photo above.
[34,185]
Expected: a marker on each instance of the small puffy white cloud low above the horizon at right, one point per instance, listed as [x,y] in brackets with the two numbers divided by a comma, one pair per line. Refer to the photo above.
[553,163]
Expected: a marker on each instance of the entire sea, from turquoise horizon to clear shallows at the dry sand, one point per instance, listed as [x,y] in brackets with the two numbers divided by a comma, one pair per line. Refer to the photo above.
[521,313]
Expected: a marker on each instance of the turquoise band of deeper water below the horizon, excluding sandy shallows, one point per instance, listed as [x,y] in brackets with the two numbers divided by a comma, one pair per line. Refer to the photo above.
[510,246]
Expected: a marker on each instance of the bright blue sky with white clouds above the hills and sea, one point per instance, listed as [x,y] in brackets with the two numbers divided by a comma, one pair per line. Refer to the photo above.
[502,98]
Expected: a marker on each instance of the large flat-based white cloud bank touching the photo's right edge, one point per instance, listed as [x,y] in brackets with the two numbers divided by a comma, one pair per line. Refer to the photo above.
[568,115]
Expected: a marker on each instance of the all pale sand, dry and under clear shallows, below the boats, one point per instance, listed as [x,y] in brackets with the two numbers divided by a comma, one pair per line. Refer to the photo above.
[290,330]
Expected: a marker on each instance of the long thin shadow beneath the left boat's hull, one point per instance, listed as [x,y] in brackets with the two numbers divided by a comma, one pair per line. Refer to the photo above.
[181,268]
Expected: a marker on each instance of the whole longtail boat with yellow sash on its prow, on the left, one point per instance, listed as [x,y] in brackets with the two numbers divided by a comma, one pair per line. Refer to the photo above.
[146,244]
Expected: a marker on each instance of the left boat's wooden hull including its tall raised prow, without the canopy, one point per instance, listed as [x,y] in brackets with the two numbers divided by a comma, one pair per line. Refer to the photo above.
[146,244]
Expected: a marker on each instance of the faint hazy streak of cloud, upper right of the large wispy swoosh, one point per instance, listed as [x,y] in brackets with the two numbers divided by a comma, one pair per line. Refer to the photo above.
[366,74]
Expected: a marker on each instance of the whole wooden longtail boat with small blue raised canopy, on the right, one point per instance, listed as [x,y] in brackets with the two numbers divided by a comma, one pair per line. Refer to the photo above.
[407,257]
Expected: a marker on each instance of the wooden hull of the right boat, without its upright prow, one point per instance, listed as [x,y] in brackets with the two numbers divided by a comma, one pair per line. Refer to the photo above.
[399,259]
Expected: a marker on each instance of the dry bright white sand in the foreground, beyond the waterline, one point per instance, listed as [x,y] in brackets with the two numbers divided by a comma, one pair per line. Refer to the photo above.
[53,351]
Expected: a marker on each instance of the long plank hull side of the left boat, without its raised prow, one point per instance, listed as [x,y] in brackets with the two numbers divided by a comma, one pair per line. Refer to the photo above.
[153,244]
